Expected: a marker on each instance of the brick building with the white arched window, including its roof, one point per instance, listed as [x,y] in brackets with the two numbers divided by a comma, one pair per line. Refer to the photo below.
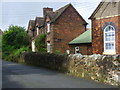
[106,28]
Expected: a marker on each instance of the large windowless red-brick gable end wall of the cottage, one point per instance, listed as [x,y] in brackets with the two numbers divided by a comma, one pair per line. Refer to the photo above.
[67,27]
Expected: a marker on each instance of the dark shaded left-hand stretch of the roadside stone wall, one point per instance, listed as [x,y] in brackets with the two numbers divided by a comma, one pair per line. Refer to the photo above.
[49,60]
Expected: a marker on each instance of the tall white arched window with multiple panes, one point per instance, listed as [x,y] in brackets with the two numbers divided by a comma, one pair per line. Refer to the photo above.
[111,41]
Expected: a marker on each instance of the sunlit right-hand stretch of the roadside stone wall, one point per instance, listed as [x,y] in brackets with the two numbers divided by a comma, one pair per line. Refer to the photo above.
[97,67]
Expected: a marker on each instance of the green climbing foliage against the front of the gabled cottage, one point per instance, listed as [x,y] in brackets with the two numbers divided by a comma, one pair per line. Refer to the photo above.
[40,43]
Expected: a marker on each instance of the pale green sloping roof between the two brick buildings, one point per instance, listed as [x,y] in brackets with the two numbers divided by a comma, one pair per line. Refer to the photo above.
[85,37]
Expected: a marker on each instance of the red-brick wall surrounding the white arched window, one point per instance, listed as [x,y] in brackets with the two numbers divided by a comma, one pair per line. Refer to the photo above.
[97,34]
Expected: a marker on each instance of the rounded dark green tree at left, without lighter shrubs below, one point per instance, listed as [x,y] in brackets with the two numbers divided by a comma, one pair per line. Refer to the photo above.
[15,36]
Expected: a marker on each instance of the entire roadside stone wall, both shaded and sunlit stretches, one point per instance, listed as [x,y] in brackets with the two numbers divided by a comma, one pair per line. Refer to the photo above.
[100,68]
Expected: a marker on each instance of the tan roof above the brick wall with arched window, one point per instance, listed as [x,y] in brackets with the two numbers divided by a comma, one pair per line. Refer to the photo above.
[105,9]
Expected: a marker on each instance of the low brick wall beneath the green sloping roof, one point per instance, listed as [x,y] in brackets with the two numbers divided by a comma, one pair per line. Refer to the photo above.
[84,49]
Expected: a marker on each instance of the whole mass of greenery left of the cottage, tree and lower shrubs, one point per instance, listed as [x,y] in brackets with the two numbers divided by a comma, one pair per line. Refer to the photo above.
[14,41]
